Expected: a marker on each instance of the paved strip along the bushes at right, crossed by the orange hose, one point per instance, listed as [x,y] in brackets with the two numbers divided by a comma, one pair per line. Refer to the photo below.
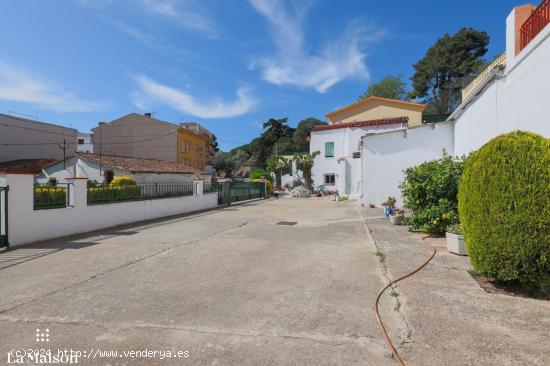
[451,320]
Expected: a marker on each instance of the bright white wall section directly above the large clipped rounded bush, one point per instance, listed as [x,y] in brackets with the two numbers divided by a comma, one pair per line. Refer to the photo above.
[520,100]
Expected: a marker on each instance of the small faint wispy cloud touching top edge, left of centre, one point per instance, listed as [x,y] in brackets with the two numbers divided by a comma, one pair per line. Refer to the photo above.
[187,13]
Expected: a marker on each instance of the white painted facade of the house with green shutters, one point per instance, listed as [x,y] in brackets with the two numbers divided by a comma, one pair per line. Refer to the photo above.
[346,168]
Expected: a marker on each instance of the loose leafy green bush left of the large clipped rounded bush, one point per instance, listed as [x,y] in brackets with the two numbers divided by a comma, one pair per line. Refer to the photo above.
[430,190]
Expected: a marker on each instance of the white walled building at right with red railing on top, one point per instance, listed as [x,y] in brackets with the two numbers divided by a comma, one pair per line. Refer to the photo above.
[513,93]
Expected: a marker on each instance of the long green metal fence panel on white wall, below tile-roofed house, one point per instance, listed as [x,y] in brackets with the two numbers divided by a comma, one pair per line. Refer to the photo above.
[110,194]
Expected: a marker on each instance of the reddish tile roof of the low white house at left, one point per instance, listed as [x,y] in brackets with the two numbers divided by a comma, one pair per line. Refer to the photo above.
[136,165]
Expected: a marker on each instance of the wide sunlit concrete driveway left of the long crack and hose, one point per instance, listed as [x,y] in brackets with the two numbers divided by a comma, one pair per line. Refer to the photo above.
[230,287]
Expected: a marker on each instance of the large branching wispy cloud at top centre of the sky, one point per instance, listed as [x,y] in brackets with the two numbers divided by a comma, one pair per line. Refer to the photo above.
[295,64]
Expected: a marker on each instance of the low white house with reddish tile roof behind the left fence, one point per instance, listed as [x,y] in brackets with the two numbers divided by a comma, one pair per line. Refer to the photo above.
[103,169]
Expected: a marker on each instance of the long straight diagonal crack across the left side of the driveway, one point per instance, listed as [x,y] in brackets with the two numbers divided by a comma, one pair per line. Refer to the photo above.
[127,264]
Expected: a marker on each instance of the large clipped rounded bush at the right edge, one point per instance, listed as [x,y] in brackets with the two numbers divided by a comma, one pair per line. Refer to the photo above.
[504,206]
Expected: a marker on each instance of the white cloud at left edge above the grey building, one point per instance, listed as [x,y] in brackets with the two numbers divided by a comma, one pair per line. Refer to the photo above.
[17,85]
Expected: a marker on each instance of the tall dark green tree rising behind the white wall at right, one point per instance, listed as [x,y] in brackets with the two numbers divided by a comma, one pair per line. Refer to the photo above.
[440,73]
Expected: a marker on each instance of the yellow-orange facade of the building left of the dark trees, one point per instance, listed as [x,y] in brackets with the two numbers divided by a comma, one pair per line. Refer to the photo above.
[193,148]
